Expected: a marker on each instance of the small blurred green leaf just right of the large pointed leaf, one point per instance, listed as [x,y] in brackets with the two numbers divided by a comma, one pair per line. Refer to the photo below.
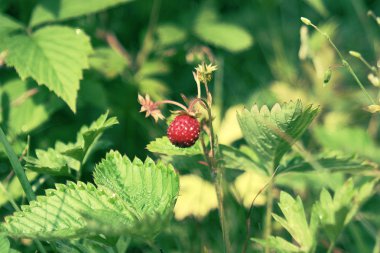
[108,62]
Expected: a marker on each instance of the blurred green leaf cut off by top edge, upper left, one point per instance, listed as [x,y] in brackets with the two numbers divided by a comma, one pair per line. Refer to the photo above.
[54,10]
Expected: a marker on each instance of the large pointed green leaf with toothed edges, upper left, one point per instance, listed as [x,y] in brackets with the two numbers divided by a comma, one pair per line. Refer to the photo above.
[54,56]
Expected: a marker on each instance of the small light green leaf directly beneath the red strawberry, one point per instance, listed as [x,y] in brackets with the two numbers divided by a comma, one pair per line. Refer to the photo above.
[163,146]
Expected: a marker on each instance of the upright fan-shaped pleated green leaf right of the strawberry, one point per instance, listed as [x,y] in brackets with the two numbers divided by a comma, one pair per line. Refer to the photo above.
[270,133]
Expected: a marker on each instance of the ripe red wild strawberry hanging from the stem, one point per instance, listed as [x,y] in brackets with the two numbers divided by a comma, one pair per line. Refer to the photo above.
[184,131]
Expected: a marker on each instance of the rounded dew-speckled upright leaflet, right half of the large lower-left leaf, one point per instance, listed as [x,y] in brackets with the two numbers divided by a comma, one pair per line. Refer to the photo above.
[131,180]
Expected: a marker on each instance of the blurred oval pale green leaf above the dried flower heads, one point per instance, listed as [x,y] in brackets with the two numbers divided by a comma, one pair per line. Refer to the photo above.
[225,35]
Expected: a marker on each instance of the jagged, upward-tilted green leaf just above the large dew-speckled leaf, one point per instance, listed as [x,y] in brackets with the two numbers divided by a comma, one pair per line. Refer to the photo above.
[70,156]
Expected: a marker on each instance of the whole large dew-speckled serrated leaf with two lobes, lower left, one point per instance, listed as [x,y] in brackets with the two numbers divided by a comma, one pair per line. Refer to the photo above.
[132,197]
